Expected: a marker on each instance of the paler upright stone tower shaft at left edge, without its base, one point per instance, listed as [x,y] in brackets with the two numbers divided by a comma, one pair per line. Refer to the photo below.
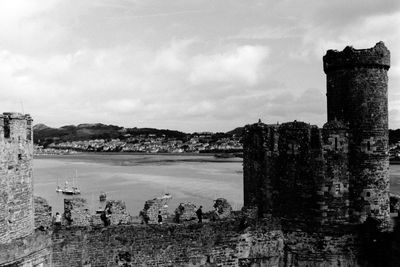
[16,177]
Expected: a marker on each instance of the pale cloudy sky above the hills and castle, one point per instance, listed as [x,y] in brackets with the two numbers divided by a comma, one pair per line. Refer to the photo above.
[183,64]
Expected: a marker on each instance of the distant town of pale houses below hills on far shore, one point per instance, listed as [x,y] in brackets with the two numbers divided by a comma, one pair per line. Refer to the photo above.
[128,140]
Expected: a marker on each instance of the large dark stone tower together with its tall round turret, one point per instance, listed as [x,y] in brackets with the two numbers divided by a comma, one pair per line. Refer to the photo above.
[334,175]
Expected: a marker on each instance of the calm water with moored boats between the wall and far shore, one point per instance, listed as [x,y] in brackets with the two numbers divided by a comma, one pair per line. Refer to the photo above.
[137,178]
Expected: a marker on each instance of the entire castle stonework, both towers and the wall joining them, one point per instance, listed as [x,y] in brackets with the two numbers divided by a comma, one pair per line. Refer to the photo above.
[321,194]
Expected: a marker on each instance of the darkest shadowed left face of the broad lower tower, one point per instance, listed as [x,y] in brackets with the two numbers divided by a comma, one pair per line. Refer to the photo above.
[286,171]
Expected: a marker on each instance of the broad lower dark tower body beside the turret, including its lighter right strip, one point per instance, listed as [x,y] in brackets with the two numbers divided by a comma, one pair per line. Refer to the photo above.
[305,171]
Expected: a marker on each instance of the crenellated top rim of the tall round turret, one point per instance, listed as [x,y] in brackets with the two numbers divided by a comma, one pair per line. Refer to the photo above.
[375,57]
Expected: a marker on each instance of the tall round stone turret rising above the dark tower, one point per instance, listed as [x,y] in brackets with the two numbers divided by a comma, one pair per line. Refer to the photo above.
[357,95]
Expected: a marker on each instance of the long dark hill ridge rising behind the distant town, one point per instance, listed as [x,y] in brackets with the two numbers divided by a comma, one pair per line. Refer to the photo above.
[44,135]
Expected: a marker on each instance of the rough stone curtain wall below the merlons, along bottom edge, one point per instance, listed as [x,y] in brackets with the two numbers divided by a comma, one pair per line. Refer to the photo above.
[216,244]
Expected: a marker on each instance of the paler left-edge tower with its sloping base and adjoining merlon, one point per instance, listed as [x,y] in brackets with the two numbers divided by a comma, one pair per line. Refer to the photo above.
[20,244]
